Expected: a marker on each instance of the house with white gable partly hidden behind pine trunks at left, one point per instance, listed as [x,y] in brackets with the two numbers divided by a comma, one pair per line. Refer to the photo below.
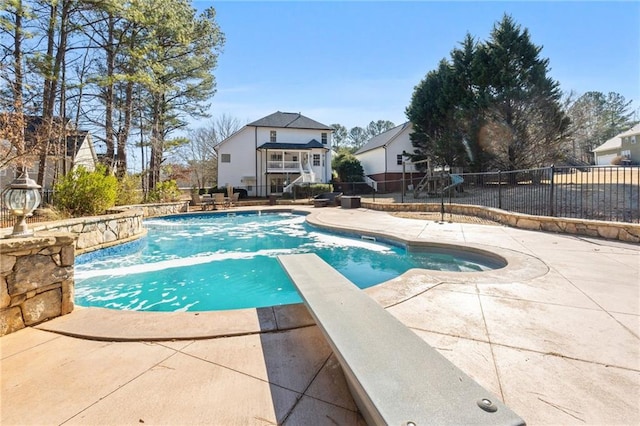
[76,150]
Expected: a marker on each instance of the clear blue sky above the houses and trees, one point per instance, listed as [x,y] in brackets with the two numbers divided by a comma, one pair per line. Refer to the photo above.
[351,62]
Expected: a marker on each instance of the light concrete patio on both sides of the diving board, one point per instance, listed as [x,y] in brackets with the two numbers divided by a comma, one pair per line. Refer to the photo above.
[555,335]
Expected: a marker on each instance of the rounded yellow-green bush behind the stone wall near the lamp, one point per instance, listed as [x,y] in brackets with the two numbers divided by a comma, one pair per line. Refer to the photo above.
[85,193]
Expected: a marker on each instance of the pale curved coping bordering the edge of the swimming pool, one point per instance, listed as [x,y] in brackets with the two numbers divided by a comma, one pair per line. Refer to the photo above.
[113,325]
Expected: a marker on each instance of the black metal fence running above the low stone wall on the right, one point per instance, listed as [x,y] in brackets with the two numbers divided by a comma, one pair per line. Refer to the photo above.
[590,192]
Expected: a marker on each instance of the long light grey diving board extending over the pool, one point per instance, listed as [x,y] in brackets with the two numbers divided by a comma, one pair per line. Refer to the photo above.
[395,377]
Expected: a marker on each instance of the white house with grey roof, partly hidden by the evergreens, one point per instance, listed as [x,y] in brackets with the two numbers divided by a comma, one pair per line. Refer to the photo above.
[382,157]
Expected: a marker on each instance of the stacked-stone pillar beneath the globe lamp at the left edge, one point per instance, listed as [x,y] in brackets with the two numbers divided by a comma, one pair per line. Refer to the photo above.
[36,279]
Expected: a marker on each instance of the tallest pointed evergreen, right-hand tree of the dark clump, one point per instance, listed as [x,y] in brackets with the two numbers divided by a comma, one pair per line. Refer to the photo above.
[523,103]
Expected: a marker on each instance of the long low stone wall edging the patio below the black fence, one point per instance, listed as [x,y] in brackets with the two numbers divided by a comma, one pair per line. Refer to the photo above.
[627,232]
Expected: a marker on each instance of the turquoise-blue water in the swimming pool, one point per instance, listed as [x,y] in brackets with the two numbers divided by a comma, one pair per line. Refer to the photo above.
[220,261]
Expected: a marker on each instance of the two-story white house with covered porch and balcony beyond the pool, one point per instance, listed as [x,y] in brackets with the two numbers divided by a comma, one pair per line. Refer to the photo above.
[270,155]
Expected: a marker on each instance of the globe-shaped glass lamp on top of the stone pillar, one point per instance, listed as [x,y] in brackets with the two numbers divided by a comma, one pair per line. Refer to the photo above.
[21,197]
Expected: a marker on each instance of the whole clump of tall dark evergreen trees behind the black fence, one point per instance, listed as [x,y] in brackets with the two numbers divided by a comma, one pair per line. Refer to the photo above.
[491,106]
